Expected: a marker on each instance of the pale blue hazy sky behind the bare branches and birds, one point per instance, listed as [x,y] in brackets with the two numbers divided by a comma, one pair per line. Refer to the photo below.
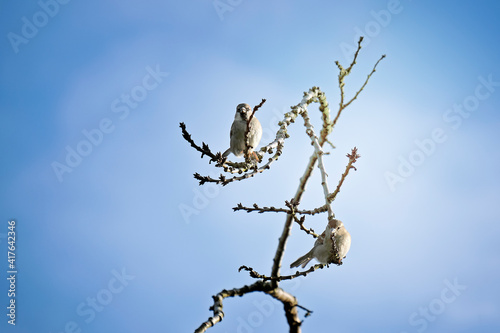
[102,244]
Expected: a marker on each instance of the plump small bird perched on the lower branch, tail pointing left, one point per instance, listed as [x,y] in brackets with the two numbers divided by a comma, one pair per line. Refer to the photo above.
[323,249]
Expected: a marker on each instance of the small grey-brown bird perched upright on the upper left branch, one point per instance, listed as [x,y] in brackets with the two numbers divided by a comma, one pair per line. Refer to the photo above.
[238,129]
